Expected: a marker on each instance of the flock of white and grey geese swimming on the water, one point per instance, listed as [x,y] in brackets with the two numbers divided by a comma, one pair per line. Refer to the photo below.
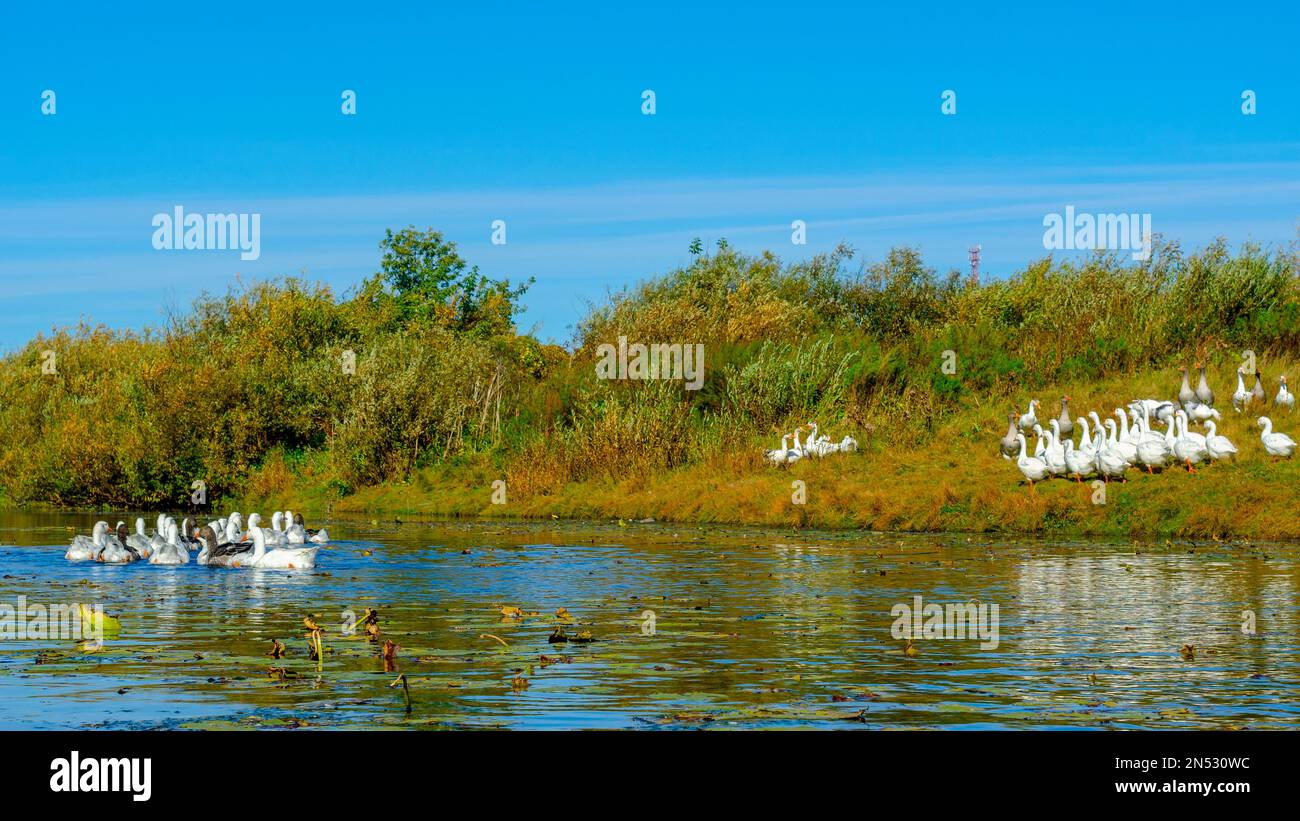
[224,542]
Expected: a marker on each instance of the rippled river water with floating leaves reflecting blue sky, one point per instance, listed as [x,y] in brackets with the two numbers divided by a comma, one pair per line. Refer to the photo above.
[752,629]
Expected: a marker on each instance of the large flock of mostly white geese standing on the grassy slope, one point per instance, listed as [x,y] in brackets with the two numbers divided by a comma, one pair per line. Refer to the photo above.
[1129,441]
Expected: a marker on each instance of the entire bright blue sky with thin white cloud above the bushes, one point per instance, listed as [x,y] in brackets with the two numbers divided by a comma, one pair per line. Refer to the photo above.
[765,114]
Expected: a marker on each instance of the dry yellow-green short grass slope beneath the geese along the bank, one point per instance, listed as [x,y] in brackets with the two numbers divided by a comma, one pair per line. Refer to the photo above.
[955,483]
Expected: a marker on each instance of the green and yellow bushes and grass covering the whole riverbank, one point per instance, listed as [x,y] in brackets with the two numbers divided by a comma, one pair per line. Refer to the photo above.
[415,393]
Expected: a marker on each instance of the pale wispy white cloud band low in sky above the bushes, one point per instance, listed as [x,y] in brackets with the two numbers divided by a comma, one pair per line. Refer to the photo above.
[64,257]
